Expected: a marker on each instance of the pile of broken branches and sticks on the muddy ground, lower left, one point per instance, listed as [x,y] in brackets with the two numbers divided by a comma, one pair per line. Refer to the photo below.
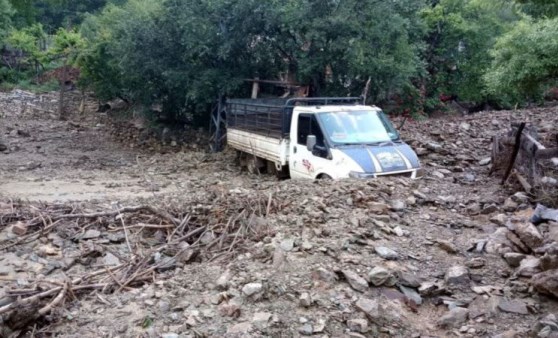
[143,242]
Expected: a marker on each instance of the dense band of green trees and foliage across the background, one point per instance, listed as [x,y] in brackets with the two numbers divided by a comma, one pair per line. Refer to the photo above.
[184,54]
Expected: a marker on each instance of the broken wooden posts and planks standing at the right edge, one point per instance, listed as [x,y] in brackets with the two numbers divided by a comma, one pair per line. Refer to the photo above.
[530,157]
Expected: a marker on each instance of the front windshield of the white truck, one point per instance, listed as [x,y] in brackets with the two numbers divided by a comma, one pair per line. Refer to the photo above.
[358,127]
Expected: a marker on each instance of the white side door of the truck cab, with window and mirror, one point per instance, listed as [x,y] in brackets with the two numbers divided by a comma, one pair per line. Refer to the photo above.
[304,163]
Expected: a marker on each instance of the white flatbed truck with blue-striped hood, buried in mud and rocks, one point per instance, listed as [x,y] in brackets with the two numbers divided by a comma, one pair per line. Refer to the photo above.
[317,138]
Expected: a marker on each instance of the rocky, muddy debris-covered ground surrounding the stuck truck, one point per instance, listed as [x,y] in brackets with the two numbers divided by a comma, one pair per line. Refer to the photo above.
[210,251]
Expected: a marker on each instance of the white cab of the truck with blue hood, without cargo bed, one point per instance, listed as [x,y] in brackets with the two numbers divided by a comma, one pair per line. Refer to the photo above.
[347,141]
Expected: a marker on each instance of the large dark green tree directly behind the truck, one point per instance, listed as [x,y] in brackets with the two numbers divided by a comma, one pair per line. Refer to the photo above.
[183,54]
